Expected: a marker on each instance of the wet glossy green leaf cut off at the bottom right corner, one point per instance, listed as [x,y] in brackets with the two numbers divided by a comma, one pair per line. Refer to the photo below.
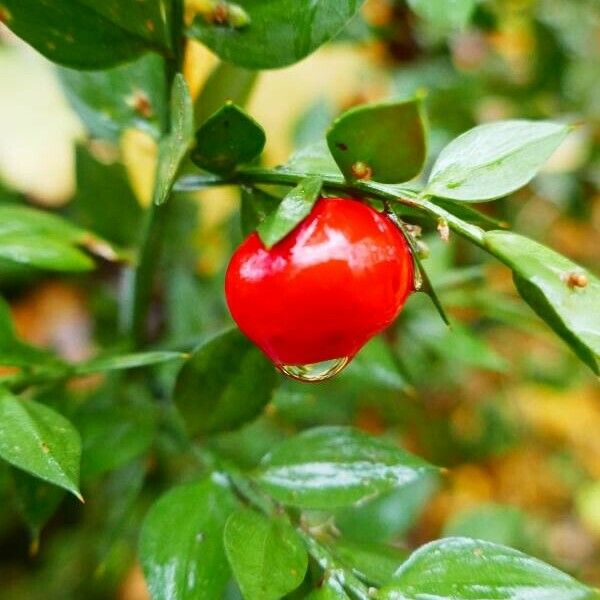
[466,569]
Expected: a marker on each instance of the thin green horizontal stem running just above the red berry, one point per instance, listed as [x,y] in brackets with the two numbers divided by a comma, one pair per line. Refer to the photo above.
[405,196]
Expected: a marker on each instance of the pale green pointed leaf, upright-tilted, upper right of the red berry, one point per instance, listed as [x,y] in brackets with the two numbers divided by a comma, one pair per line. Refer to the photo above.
[495,159]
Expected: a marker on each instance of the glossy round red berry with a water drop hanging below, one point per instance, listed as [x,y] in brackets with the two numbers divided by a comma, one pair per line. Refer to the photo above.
[321,293]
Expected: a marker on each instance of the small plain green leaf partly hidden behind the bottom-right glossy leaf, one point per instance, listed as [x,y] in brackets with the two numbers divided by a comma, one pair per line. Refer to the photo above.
[373,563]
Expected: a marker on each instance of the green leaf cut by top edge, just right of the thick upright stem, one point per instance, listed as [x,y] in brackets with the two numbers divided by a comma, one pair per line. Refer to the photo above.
[278,32]
